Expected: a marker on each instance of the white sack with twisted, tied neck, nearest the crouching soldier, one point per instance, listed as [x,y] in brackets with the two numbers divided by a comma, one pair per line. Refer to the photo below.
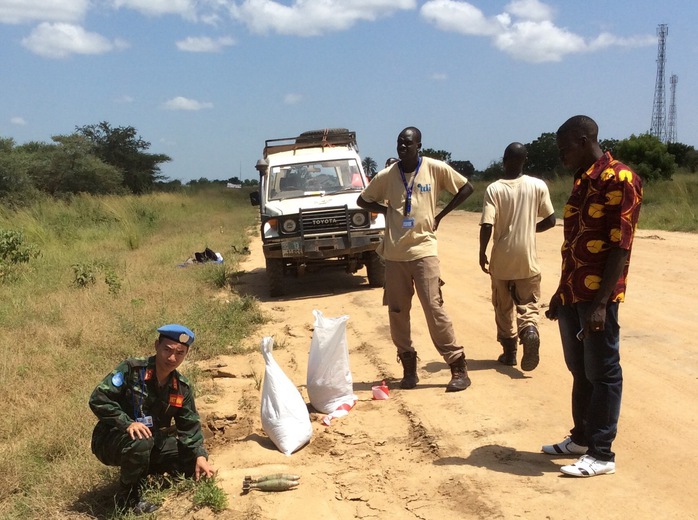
[285,417]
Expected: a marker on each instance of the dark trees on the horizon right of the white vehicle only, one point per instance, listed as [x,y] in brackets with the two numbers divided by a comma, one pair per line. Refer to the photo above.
[647,155]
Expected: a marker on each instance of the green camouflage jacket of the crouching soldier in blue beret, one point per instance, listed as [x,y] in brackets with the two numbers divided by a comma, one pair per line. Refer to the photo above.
[131,390]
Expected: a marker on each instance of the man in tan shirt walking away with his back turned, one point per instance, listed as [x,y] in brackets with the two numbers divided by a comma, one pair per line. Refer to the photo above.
[515,208]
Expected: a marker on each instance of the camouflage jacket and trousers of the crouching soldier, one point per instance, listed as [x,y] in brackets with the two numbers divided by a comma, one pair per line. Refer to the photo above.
[131,391]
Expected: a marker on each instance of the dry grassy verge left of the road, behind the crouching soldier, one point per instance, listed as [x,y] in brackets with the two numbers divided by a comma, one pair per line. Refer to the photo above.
[84,283]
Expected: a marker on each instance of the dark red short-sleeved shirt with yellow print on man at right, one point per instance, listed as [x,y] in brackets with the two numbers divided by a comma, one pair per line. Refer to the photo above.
[601,214]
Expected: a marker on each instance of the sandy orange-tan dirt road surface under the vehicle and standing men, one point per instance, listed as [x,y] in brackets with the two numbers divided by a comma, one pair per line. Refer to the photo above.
[426,454]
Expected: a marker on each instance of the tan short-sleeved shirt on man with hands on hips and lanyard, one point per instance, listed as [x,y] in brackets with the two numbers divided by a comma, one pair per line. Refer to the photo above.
[403,244]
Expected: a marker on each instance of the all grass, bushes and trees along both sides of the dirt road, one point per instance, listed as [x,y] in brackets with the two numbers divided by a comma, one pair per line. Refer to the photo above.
[91,241]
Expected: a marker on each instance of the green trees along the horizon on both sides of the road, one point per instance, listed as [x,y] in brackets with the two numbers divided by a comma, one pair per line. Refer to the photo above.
[101,159]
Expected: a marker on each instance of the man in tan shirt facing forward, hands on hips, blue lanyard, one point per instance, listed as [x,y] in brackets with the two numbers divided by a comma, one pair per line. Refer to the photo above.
[407,192]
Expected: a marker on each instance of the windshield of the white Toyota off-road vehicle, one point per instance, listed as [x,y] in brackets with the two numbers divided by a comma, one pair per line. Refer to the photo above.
[318,178]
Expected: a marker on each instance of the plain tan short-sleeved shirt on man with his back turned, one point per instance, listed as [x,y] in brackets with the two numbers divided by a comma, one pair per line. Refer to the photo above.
[513,207]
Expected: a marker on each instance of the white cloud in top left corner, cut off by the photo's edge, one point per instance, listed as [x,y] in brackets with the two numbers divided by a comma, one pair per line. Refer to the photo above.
[21,11]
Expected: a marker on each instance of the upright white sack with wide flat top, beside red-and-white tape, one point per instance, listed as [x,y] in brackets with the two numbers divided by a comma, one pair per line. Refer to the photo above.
[329,376]
